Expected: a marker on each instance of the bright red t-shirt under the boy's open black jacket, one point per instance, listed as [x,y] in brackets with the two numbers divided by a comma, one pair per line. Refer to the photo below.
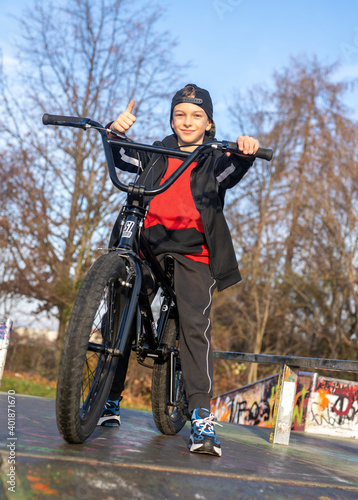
[175,208]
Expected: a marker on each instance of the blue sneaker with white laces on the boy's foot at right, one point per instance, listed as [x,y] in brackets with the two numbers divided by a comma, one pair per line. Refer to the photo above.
[203,438]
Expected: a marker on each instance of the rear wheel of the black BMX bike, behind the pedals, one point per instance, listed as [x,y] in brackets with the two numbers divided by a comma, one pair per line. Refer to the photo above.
[169,418]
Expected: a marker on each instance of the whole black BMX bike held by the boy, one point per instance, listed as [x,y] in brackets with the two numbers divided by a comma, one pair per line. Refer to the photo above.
[113,314]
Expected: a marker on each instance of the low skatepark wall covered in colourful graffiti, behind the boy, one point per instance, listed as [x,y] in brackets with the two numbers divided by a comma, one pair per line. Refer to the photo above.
[322,405]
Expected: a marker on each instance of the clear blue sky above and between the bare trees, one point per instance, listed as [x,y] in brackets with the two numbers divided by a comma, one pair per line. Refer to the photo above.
[235,44]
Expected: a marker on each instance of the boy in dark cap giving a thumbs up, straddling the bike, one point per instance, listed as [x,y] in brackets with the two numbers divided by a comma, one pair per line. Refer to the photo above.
[187,221]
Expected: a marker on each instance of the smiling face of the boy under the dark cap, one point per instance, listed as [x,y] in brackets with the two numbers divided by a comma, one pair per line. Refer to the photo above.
[190,122]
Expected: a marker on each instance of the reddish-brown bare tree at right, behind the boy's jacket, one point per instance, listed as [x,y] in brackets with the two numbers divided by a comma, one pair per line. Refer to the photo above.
[295,221]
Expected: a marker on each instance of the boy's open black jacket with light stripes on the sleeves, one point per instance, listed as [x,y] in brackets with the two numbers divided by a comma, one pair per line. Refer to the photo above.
[213,175]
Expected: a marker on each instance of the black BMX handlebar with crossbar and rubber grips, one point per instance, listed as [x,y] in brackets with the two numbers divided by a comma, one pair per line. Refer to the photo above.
[86,123]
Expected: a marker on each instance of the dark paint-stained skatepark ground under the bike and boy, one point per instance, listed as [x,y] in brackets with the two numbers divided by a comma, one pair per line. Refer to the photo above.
[137,462]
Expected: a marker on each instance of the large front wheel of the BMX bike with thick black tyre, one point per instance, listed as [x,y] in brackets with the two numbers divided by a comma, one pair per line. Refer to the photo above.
[88,362]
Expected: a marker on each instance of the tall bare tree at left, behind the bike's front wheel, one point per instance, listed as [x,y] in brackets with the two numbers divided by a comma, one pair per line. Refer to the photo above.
[85,58]
